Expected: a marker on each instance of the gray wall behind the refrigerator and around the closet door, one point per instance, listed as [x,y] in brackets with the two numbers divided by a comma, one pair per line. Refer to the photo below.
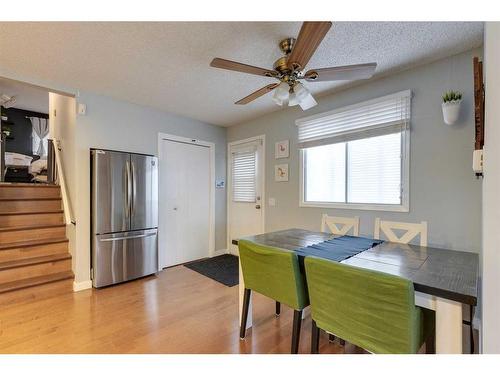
[115,124]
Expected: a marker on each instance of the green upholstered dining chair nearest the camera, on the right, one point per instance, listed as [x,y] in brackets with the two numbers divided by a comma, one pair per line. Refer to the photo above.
[370,309]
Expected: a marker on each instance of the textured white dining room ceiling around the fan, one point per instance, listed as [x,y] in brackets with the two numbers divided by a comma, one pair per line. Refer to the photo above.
[166,65]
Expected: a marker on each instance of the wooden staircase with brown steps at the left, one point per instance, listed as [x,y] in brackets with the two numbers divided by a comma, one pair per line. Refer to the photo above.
[34,258]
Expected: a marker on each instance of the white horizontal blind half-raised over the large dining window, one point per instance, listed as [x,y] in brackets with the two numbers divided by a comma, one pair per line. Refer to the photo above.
[385,115]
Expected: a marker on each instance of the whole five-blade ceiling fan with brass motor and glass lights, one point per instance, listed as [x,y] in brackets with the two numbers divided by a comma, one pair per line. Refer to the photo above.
[289,69]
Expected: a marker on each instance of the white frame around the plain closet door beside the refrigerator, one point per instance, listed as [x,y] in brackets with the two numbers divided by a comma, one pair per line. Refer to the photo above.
[211,146]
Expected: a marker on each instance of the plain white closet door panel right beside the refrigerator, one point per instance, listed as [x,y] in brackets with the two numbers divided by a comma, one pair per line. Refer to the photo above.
[184,202]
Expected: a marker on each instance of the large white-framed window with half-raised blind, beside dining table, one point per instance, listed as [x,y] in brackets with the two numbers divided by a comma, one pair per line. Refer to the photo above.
[357,157]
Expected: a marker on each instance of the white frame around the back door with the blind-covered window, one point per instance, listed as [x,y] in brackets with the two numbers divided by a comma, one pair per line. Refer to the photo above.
[229,184]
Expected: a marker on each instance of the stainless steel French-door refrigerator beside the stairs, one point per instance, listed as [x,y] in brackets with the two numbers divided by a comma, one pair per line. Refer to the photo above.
[124,216]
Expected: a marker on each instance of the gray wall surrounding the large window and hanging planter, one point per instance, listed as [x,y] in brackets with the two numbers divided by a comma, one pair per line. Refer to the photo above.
[443,189]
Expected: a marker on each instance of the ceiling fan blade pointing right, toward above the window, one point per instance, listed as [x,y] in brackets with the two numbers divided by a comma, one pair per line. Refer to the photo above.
[341,73]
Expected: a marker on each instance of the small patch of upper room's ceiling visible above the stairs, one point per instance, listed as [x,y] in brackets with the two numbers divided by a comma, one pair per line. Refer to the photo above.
[28,97]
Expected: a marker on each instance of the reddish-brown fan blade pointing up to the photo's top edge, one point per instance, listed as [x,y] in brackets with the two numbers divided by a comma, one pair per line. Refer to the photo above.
[310,36]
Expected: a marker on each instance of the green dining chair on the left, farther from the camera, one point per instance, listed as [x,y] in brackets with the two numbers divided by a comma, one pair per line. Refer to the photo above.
[274,273]
